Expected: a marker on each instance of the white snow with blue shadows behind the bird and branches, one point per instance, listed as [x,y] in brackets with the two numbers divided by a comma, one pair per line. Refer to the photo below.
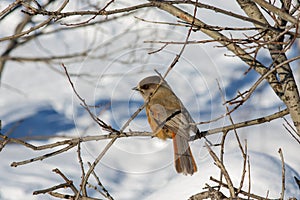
[140,167]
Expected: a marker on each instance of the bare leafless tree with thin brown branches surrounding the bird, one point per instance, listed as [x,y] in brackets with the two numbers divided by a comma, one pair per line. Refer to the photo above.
[271,27]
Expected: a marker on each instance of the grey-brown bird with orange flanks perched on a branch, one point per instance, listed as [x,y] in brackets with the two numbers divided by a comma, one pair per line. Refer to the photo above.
[168,118]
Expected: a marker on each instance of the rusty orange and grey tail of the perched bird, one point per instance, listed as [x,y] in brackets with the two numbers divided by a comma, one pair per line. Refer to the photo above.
[184,160]
